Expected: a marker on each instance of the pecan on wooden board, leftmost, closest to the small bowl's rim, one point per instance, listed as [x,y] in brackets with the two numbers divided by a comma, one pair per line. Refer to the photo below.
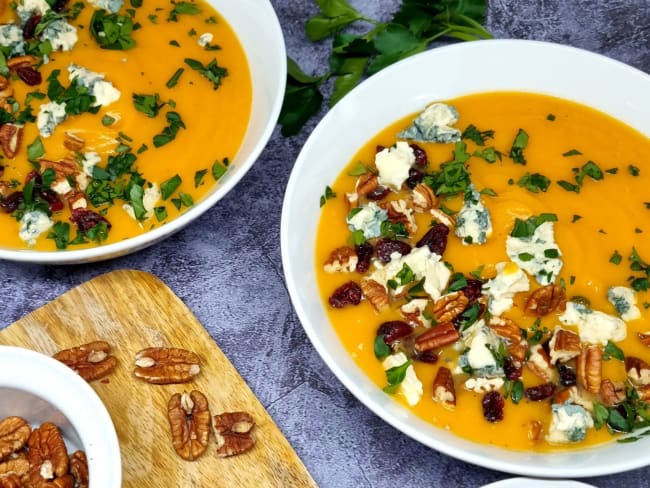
[91,361]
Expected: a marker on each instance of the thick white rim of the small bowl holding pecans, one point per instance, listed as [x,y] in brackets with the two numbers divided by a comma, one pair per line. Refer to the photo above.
[44,377]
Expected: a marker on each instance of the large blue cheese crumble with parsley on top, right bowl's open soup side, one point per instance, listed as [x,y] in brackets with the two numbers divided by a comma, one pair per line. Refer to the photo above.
[538,255]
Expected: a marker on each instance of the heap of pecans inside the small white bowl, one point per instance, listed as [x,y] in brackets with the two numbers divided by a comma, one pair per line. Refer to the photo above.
[38,458]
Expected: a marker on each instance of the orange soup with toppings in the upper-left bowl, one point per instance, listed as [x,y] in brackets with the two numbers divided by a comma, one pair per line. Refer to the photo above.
[116,116]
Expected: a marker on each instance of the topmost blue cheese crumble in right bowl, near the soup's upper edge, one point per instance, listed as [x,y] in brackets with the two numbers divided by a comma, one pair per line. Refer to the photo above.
[434,124]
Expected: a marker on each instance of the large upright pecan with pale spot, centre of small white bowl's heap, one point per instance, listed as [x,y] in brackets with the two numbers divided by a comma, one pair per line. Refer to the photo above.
[47,455]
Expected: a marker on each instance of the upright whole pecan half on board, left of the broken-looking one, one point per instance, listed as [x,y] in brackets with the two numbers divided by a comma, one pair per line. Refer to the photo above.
[189,421]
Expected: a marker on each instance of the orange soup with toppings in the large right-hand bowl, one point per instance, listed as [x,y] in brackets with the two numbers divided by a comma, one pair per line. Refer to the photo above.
[484,262]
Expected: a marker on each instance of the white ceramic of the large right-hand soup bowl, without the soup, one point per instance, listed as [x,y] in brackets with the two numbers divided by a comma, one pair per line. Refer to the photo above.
[404,88]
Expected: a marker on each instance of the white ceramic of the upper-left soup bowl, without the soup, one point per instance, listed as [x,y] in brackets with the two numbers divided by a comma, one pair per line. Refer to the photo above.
[258,29]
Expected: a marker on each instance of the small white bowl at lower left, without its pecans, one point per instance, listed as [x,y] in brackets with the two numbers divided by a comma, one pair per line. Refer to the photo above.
[41,389]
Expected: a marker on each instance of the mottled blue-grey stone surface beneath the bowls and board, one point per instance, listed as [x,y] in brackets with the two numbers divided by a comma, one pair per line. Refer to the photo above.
[227,268]
